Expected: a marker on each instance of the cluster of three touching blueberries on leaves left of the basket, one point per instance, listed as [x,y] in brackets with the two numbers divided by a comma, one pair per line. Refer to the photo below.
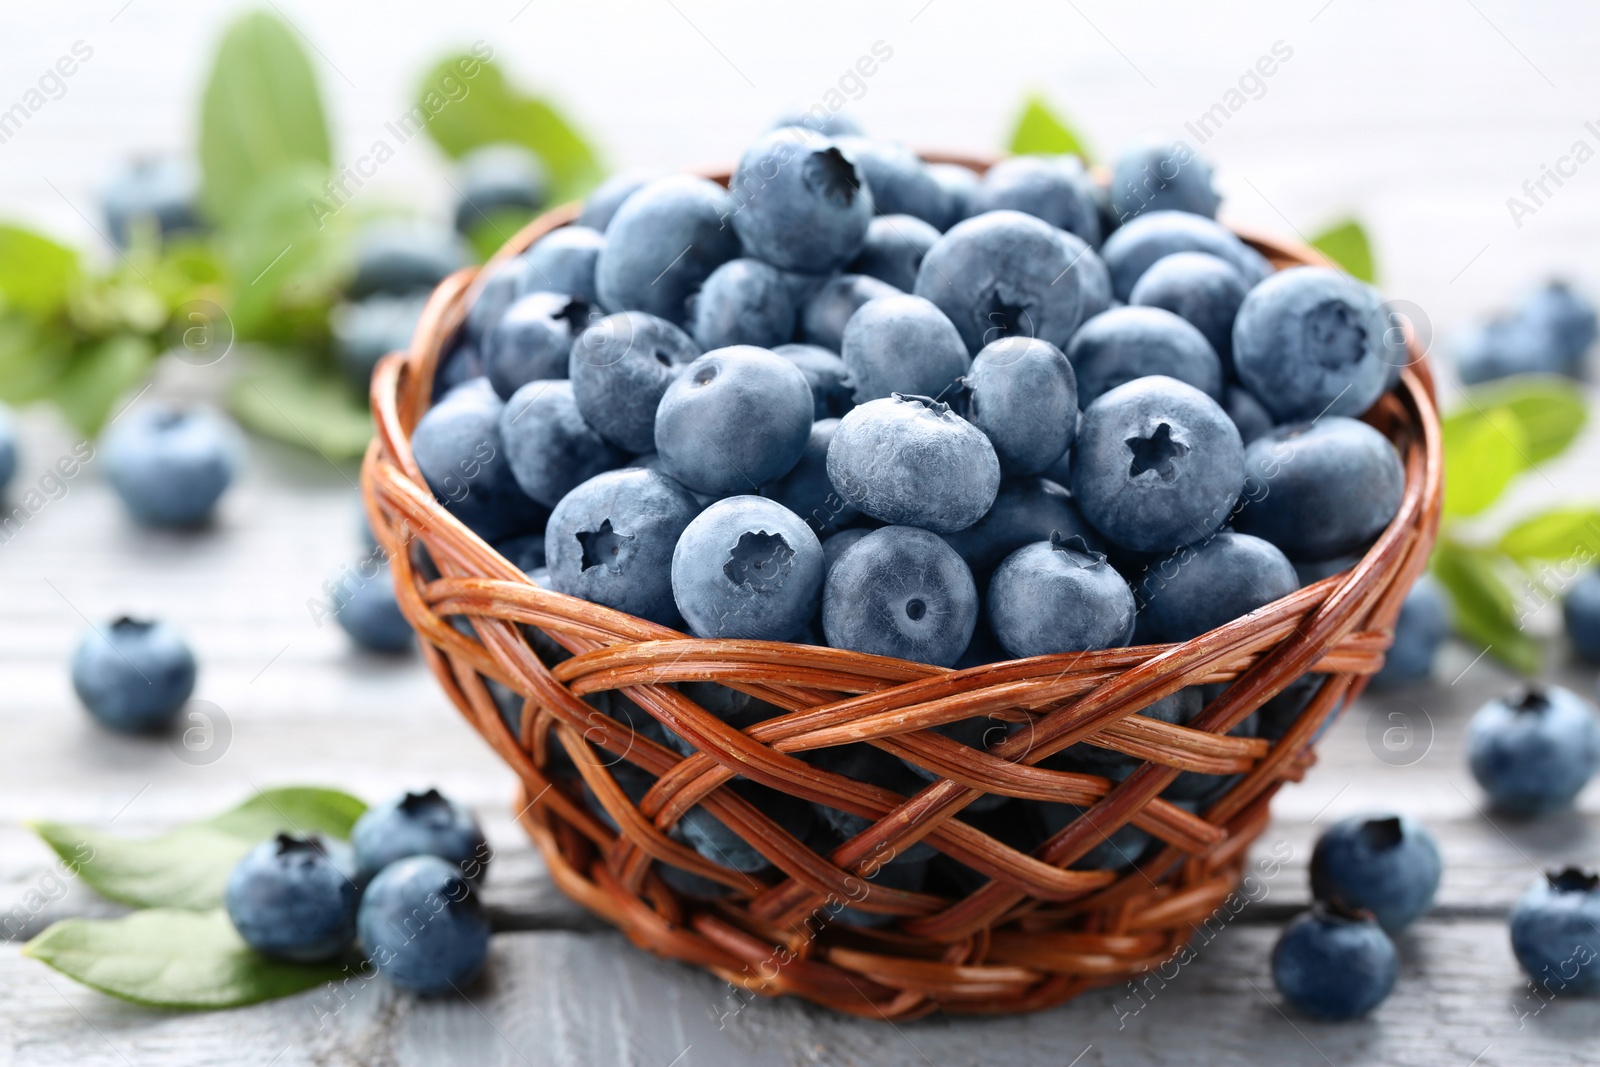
[404,890]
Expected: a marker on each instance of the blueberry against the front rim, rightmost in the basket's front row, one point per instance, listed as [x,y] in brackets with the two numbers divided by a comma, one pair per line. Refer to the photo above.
[1210,583]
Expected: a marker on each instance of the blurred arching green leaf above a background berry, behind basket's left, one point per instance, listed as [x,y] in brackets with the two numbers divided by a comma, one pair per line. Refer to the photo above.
[466,105]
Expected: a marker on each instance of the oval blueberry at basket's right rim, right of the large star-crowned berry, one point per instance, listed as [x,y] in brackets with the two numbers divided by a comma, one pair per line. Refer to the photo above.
[1321,490]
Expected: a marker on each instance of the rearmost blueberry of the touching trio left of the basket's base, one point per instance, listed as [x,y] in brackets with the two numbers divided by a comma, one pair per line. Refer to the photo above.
[420,825]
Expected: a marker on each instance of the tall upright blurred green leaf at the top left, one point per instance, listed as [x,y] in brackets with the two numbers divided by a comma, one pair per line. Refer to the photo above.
[260,113]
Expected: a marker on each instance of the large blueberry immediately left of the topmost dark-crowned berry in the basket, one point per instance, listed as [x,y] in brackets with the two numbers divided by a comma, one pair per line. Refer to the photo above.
[663,244]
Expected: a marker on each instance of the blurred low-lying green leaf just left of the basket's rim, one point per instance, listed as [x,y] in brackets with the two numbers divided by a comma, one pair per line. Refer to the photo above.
[308,407]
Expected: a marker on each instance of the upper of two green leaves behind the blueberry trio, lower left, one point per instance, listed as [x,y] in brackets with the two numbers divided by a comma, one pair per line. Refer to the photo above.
[188,866]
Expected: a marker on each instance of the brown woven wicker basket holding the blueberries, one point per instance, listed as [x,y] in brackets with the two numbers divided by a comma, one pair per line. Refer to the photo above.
[1033,932]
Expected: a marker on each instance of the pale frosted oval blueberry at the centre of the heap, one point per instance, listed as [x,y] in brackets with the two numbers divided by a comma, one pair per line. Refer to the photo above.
[913,462]
